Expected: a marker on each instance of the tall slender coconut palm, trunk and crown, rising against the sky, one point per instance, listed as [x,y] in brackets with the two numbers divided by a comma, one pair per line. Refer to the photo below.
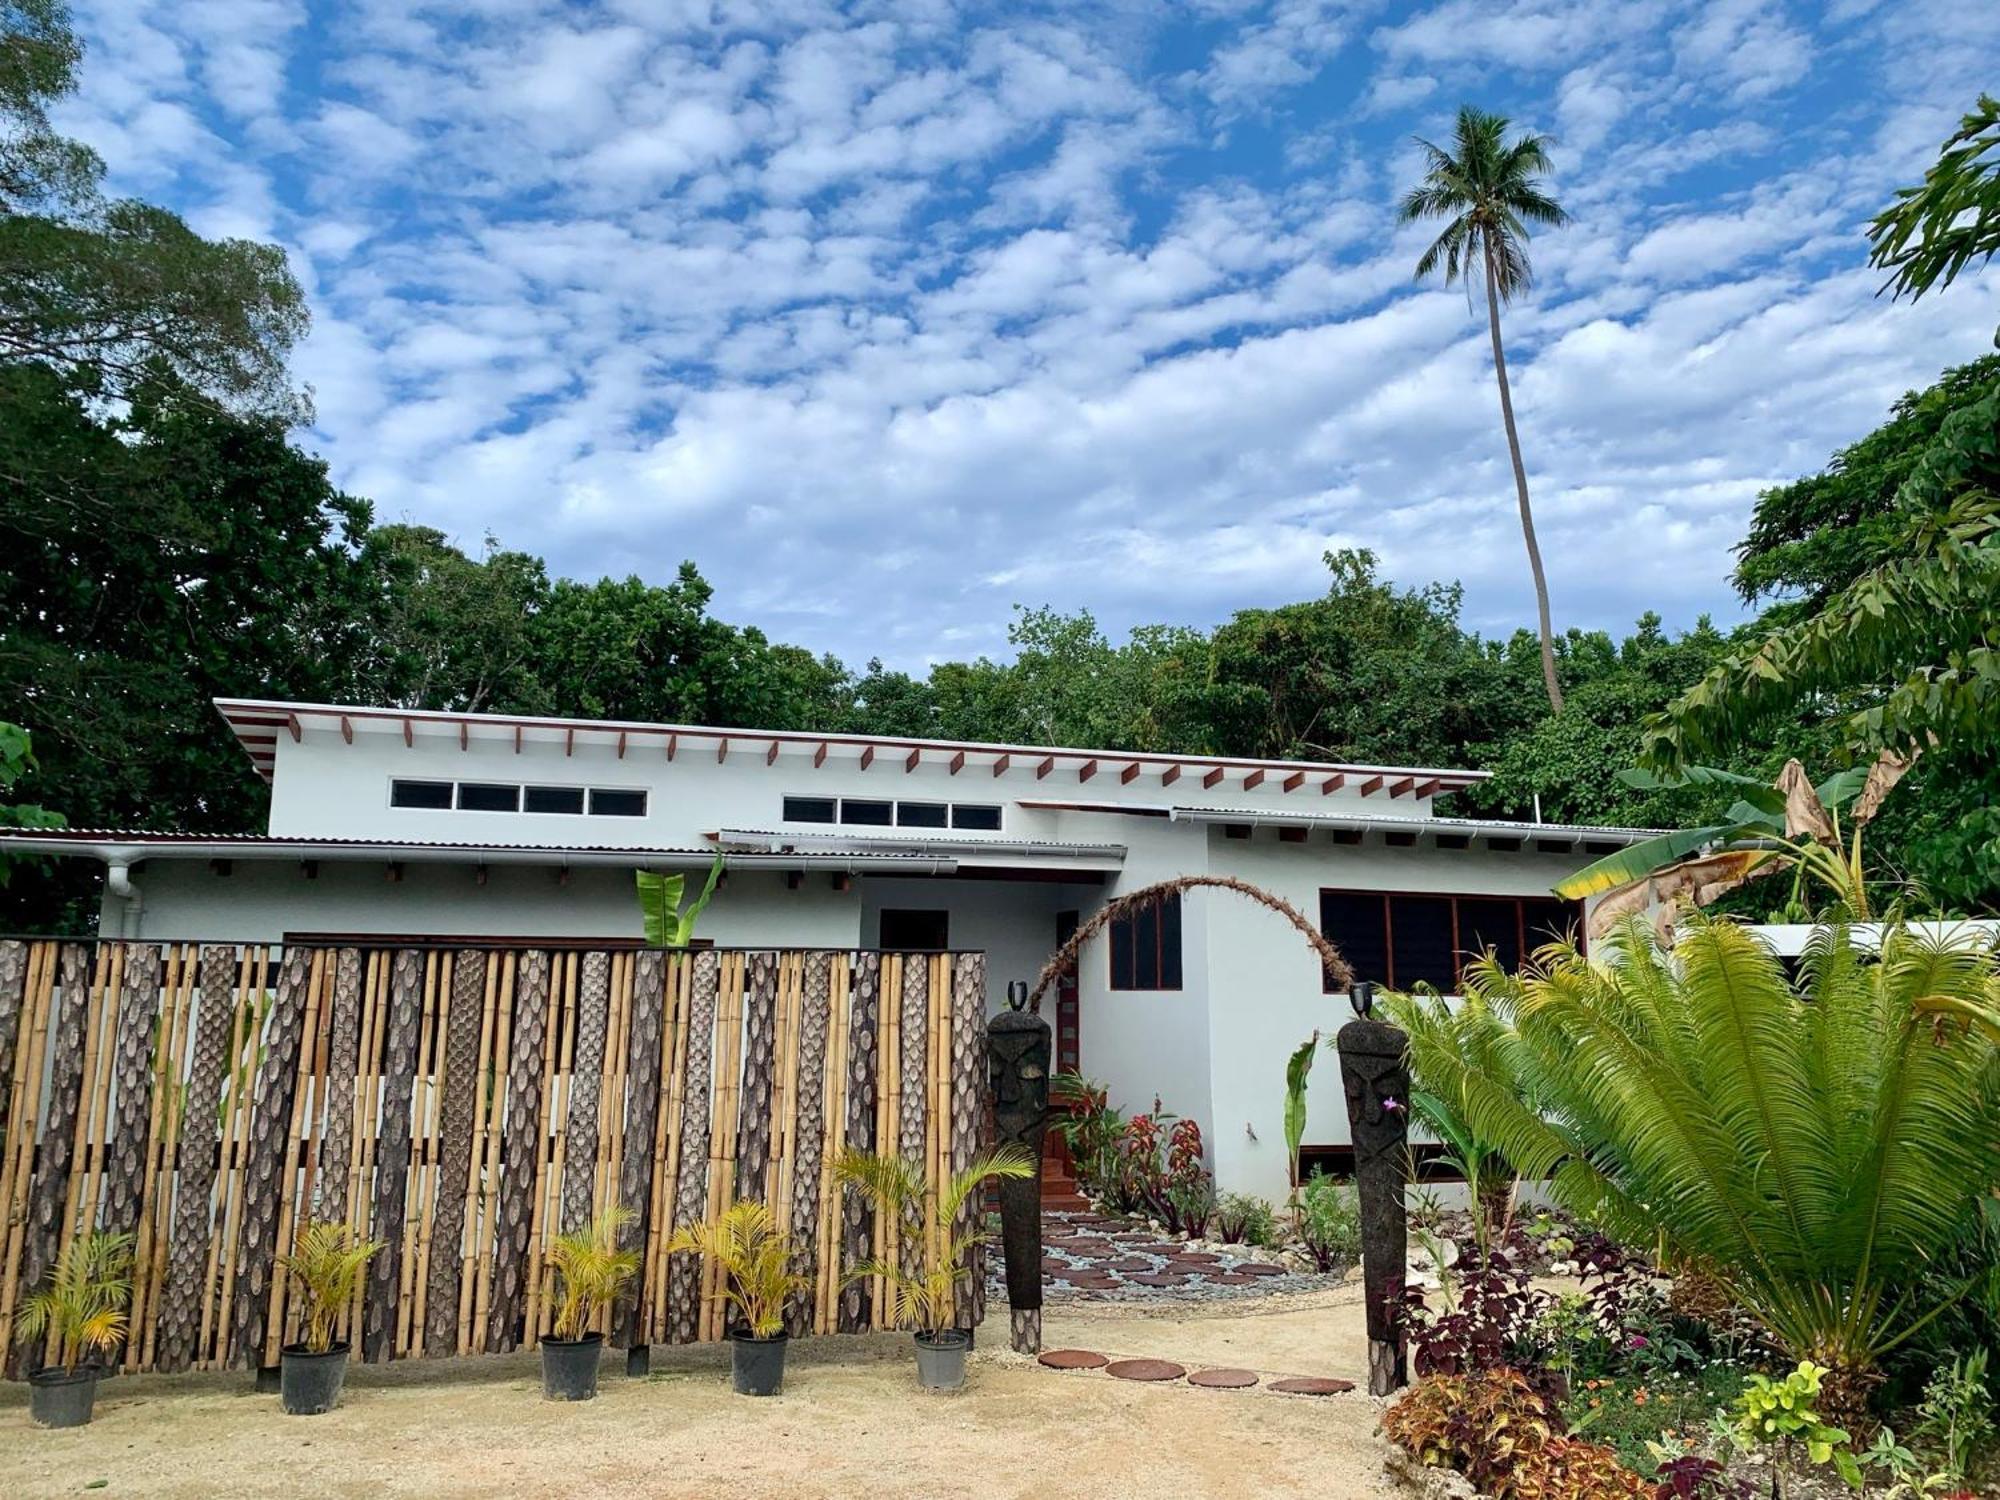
[1489,193]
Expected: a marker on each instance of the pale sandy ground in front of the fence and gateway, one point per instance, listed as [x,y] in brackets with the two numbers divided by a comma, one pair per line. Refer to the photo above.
[851,1423]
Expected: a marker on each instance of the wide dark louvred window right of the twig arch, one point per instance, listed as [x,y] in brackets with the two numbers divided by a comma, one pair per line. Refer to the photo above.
[1413,939]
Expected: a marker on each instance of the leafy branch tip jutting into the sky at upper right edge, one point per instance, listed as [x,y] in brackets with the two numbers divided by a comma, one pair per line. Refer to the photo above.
[1953,219]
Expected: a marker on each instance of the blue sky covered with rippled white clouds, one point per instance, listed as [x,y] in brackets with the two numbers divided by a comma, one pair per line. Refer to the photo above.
[897,315]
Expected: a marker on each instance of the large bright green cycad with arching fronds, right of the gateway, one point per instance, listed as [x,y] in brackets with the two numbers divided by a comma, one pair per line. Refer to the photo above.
[1817,1145]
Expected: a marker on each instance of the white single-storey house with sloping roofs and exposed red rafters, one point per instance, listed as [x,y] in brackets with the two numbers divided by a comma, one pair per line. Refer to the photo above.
[401,823]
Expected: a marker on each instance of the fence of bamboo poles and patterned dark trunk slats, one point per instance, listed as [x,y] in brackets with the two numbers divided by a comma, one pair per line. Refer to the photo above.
[463,1105]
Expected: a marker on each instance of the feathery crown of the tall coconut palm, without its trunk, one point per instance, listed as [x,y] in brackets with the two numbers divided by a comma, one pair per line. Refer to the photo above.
[1489,193]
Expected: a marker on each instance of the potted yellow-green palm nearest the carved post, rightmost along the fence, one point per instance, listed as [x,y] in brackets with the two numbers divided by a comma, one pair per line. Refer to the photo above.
[941,1237]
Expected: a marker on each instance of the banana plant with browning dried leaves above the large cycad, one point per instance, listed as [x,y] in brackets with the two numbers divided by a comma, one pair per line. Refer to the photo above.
[1789,825]
